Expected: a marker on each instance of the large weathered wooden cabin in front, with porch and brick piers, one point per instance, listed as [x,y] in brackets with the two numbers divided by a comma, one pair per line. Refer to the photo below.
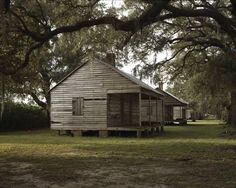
[97,96]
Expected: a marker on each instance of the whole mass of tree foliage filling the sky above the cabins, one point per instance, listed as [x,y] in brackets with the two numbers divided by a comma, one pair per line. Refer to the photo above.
[200,36]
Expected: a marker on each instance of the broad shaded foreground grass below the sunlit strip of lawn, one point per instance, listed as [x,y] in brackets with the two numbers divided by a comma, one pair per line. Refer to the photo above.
[142,166]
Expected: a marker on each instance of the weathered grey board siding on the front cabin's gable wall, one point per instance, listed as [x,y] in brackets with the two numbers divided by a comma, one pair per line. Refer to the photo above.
[91,81]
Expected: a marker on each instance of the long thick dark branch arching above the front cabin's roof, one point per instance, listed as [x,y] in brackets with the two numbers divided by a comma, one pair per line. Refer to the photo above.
[148,17]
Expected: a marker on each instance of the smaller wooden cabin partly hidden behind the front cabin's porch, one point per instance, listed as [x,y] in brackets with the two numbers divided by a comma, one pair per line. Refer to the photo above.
[174,108]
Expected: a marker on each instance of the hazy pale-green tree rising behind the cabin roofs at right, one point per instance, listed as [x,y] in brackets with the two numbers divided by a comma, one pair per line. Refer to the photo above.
[202,95]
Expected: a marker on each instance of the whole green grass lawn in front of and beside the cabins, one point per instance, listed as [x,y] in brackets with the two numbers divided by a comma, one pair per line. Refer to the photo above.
[198,155]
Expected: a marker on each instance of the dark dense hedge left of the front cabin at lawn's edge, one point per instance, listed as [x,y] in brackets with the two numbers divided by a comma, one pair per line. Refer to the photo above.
[23,117]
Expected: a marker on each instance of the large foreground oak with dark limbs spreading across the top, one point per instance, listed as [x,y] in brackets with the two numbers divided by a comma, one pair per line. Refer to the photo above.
[184,26]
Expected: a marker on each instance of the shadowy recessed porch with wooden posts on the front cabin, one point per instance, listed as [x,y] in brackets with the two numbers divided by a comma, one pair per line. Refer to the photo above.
[141,112]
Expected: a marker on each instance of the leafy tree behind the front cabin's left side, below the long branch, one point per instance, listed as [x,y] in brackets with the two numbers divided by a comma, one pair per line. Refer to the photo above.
[52,61]
